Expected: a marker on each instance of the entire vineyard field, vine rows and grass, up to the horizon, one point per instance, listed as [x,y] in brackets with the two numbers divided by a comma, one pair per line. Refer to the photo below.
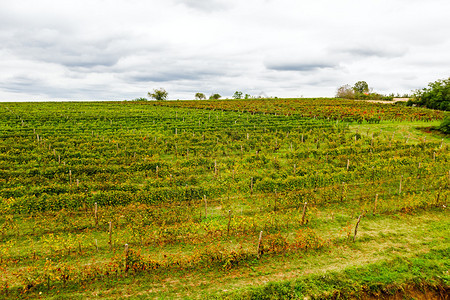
[234,199]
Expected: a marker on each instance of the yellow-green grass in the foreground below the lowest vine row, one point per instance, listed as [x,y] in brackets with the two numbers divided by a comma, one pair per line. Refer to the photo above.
[419,241]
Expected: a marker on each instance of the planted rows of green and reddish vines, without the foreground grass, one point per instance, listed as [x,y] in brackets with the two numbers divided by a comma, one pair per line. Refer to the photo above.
[187,188]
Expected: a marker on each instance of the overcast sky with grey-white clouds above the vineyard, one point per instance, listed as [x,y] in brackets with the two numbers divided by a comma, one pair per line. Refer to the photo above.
[123,49]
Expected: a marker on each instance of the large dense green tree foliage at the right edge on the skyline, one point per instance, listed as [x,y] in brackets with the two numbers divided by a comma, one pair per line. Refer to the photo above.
[436,96]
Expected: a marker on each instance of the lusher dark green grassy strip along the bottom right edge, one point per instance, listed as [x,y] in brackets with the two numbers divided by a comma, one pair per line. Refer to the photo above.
[428,271]
